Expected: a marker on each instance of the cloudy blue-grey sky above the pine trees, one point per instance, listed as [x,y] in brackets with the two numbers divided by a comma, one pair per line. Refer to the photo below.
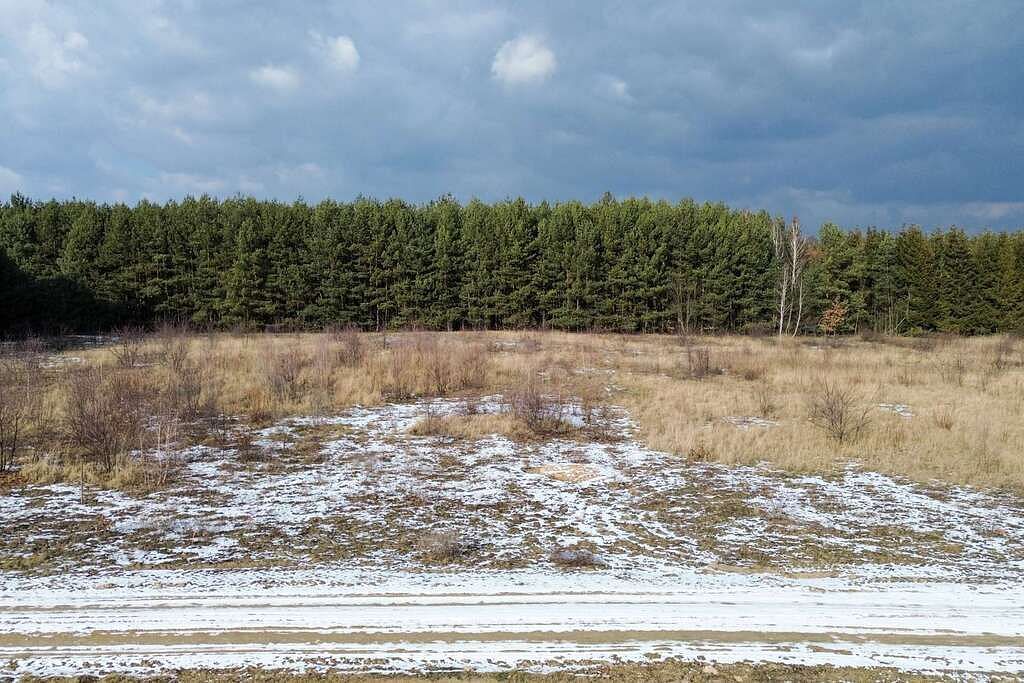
[859,113]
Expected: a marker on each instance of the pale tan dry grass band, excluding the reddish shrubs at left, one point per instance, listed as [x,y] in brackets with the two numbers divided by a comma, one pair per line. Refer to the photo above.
[966,396]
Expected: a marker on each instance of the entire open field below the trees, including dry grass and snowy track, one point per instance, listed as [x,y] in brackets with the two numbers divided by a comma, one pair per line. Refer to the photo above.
[420,503]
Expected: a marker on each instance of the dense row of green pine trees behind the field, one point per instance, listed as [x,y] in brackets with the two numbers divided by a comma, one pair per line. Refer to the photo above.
[630,266]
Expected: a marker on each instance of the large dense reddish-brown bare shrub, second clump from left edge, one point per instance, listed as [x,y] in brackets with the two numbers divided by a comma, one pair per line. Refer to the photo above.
[105,415]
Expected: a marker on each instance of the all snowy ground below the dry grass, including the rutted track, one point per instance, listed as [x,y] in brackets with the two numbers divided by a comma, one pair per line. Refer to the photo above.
[306,543]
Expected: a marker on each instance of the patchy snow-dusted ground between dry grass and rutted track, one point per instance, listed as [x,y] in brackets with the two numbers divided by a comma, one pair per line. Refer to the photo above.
[358,489]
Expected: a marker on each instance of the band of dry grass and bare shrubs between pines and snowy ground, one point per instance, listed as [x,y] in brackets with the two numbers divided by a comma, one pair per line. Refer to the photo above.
[933,408]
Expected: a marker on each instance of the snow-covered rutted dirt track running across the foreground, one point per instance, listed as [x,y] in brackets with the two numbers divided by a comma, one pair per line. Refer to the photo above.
[398,621]
